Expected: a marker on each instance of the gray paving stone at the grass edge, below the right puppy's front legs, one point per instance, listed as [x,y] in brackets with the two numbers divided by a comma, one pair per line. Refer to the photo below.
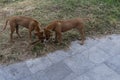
[58,56]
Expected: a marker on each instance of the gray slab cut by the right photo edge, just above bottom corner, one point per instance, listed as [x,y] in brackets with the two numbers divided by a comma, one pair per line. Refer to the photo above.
[114,63]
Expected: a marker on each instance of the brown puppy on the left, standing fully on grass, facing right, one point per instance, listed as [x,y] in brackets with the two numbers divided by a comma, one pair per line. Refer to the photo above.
[30,23]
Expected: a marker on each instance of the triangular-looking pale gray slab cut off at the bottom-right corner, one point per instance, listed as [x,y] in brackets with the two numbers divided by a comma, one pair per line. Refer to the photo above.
[101,72]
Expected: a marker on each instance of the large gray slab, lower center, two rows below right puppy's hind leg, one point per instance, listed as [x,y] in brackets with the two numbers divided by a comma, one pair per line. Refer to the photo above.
[79,63]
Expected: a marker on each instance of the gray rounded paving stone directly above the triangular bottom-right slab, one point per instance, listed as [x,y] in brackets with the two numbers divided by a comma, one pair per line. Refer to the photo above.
[96,55]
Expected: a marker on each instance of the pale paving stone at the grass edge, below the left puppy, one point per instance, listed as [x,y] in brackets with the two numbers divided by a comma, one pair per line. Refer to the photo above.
[38,64]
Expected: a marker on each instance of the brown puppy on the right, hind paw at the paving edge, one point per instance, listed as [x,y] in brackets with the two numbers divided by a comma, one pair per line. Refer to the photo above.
[60,26]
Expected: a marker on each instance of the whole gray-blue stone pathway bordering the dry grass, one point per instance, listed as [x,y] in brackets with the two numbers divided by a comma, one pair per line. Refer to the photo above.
[97,59]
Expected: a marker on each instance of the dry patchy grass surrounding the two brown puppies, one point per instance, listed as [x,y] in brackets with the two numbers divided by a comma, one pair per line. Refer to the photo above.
[105,19]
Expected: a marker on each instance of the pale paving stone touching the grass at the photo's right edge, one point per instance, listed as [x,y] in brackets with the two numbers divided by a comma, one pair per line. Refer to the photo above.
[110,44]
